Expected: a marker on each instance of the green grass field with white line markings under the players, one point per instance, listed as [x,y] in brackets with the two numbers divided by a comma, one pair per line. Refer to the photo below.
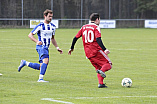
[73,79]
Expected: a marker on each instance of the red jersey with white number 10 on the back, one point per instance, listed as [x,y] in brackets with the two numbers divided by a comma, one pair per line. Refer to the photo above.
[89,33]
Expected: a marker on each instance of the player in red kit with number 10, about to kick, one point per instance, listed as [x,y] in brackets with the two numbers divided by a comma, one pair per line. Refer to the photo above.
[94,48]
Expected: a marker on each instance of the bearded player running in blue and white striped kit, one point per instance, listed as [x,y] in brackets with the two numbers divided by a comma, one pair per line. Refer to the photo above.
[46,32]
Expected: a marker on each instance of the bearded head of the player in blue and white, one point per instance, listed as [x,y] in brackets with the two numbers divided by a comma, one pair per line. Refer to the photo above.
[48,14]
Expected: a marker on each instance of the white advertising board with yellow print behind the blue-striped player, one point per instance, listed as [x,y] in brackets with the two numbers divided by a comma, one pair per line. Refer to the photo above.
[33,23]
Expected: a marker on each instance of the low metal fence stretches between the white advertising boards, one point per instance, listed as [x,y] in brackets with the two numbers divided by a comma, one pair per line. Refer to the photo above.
[71,23]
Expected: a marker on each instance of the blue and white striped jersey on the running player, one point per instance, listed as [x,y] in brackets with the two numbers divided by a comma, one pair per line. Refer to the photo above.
[44,32]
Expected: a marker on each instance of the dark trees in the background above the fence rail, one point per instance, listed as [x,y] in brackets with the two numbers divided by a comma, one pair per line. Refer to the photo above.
[119,9]
